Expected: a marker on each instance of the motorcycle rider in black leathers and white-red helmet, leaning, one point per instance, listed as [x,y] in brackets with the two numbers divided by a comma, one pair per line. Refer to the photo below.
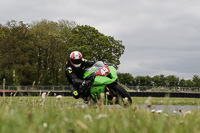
[75,68]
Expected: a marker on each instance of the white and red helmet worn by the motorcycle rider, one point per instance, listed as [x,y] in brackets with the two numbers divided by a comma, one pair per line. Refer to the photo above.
[76,59]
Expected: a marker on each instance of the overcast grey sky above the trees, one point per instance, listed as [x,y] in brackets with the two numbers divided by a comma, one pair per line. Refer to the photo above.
[160,36]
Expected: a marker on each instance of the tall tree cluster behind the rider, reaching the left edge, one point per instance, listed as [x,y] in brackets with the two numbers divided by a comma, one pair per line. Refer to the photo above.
[37,52]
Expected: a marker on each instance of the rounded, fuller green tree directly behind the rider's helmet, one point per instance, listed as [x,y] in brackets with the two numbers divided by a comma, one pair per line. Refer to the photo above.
[95,45]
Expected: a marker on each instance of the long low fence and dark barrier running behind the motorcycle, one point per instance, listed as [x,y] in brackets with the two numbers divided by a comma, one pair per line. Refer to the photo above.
[134,91]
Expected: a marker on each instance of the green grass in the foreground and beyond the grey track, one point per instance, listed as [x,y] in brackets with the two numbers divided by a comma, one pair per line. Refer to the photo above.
[27,115]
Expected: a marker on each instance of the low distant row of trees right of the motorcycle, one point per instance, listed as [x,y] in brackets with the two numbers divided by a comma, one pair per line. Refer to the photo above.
[158,80]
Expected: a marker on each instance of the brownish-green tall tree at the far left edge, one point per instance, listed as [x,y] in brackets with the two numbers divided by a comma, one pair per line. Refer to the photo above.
[17,53]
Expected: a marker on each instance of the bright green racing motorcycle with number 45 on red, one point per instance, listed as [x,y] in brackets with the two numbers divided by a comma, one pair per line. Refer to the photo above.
[105,83]
